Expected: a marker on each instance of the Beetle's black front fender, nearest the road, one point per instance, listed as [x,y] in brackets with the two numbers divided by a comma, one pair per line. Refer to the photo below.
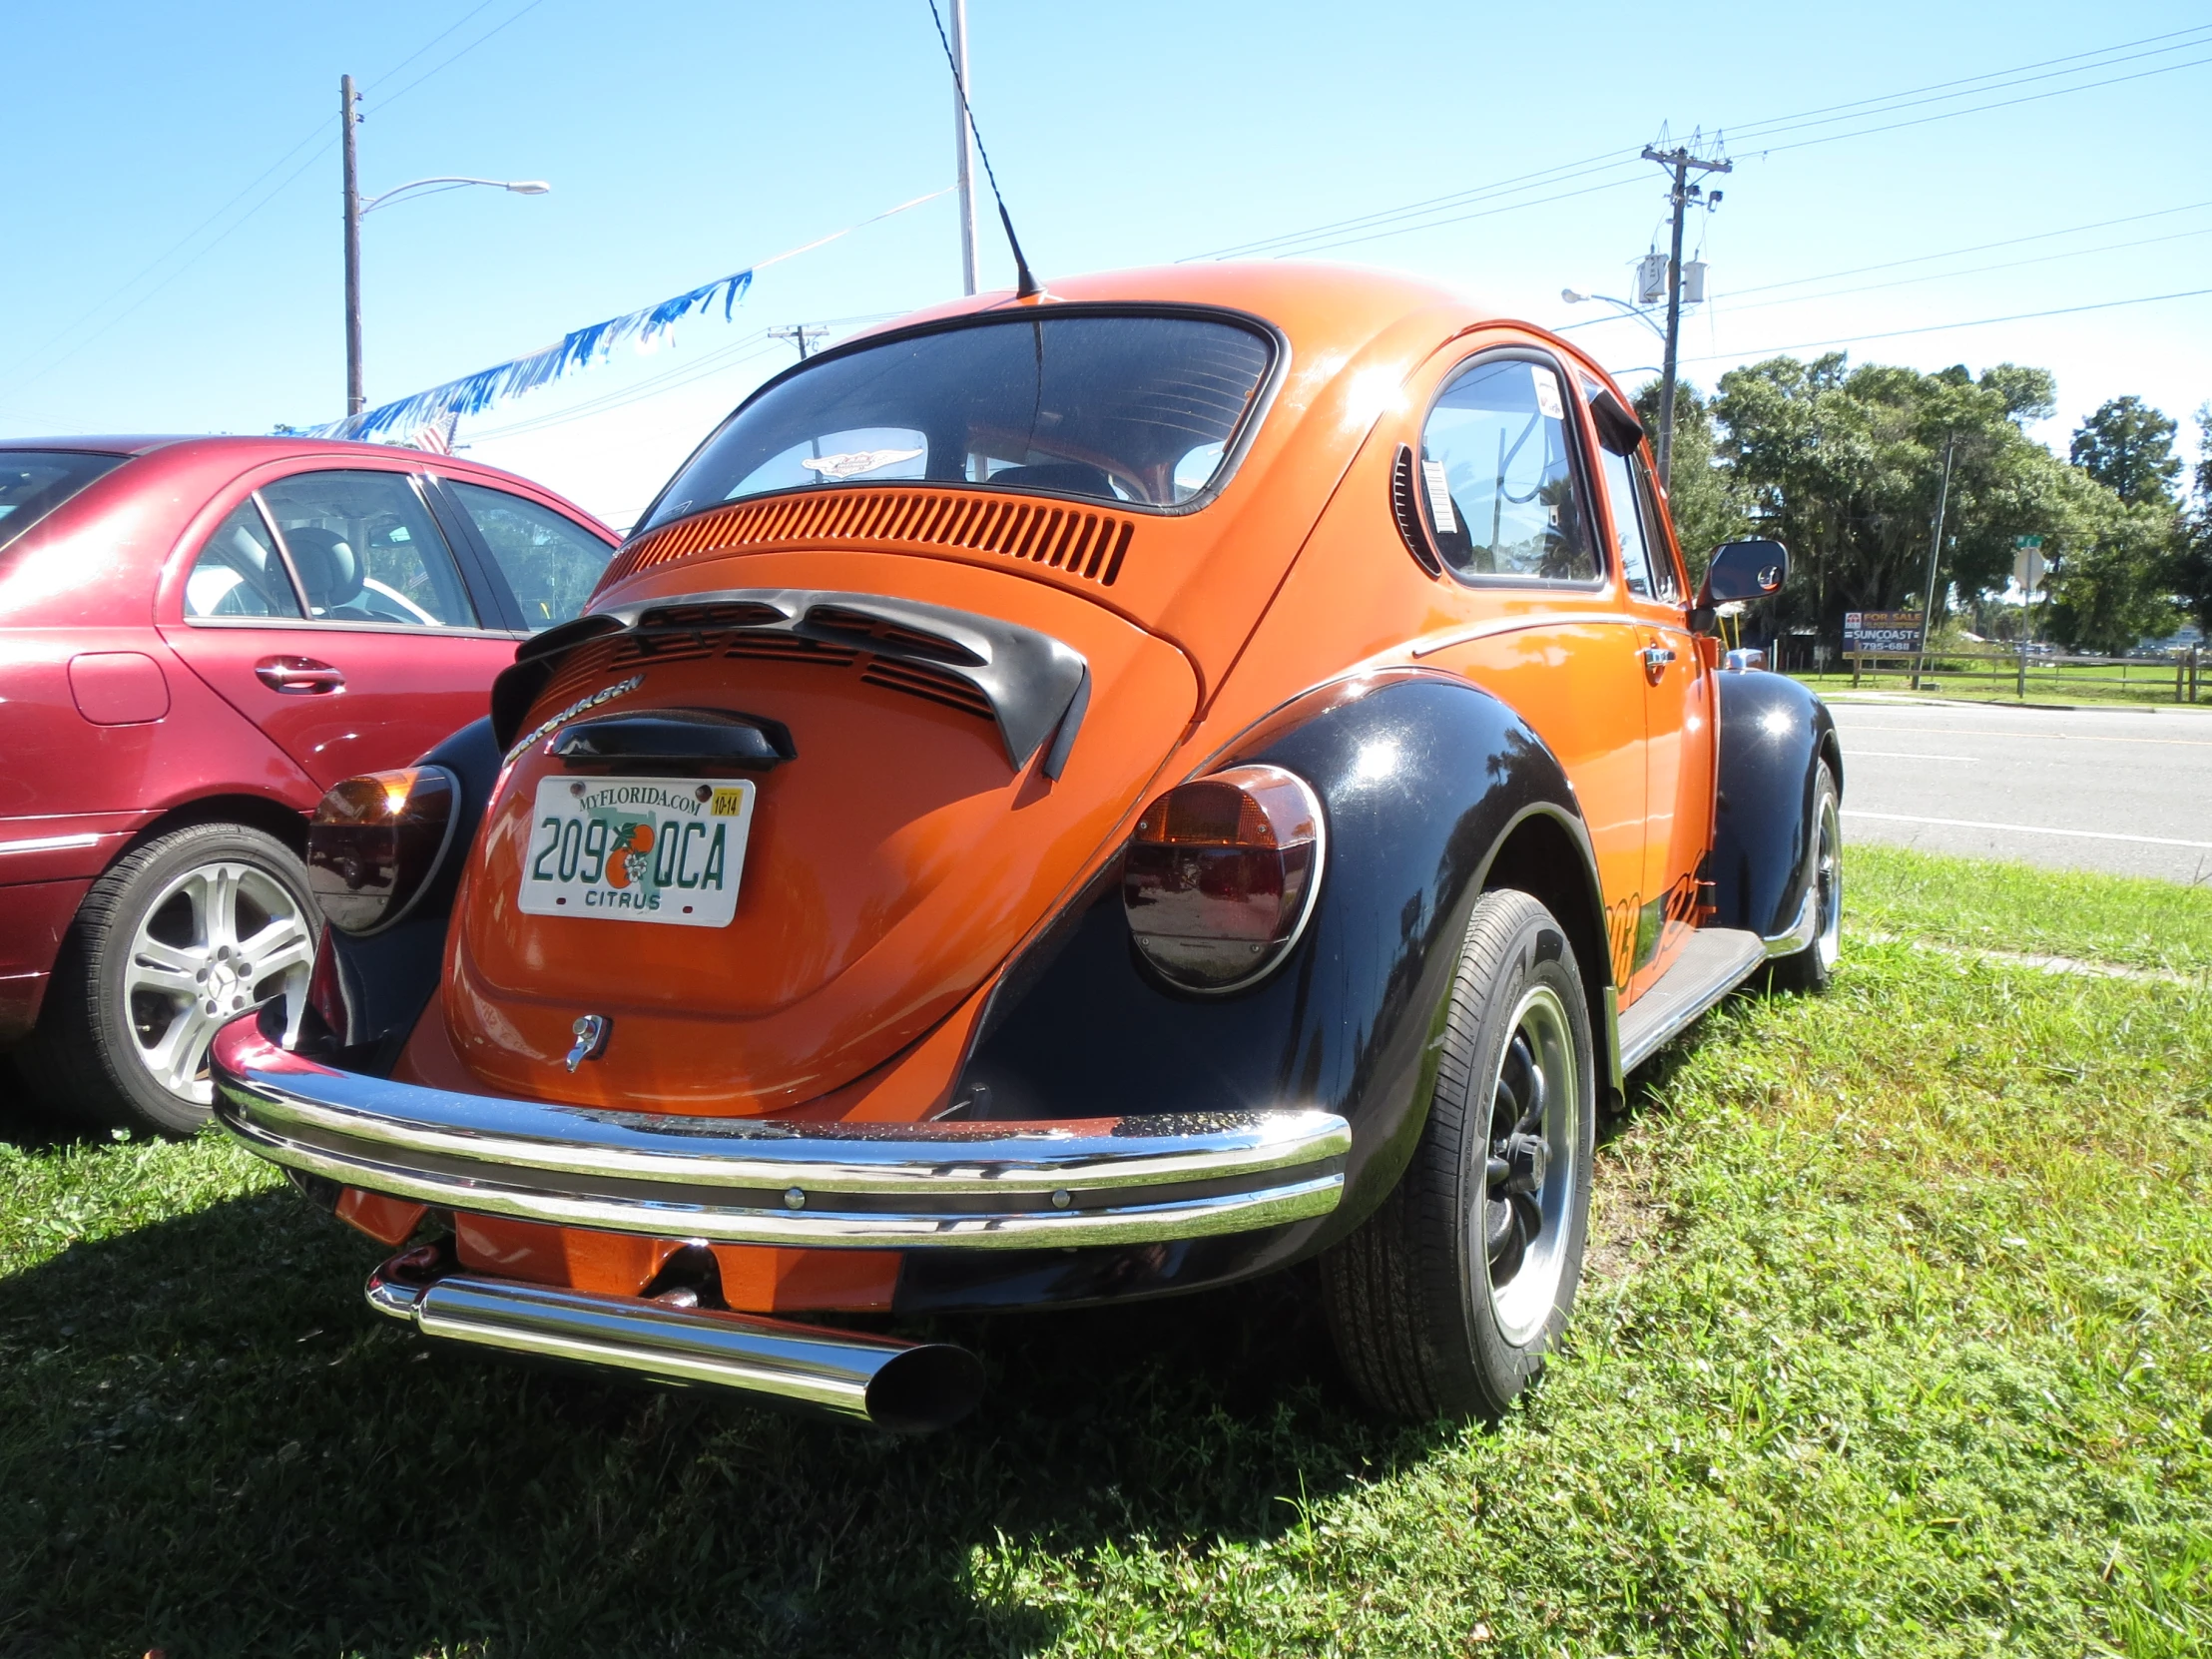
[1775,733]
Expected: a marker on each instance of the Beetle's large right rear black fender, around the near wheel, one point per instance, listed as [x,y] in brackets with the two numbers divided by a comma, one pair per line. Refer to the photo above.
[1426,782]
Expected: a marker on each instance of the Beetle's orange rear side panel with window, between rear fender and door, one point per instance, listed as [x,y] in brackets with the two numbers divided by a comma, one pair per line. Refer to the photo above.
[1507,492]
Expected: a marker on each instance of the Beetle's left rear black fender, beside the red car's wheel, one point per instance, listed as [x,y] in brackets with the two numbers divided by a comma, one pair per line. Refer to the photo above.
[368,992]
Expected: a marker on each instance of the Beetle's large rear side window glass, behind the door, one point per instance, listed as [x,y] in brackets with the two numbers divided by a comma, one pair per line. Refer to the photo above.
[1501,481]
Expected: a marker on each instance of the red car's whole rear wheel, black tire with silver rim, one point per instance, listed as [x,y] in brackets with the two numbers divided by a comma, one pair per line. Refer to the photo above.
[147,974]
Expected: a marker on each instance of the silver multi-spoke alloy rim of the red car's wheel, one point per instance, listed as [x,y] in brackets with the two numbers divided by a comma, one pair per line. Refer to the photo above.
[218,941]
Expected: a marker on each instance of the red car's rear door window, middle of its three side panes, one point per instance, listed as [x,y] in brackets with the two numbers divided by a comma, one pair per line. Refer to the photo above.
[368,550]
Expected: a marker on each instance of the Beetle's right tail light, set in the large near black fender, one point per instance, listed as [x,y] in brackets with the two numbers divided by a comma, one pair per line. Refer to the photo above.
[1222,875]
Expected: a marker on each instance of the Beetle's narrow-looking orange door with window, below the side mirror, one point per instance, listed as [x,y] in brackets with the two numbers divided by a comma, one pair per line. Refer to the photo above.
[1678,713]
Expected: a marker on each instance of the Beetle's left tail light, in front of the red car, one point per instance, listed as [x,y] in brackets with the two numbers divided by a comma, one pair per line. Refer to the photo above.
[377,842]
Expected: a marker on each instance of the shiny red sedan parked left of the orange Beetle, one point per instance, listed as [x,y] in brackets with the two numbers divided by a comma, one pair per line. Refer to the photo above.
[198,638]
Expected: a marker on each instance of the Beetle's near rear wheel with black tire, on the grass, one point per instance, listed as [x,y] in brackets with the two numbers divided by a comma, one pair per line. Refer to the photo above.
[1443,1304]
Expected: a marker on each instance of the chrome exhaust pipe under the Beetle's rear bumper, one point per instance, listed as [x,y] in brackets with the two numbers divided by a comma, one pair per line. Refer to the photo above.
[904,1388]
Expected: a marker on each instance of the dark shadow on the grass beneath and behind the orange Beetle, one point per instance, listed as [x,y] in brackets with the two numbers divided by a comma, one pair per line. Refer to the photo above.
[211,1448]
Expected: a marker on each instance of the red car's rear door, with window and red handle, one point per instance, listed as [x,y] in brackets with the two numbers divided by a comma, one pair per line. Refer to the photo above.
[331,612]
